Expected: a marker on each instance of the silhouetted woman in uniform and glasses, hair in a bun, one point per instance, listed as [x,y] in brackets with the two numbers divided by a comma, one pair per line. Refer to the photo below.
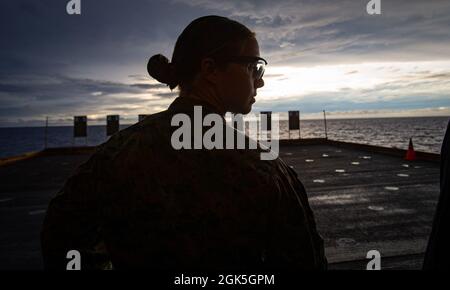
[140,203]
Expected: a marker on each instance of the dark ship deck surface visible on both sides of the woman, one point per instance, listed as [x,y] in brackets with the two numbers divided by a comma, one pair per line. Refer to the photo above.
[362,201]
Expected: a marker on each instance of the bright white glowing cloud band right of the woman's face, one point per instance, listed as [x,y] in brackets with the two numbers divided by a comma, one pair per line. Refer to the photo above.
[375,87]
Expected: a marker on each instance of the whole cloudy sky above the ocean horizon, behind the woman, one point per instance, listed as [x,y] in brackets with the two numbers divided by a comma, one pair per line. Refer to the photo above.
[323,55]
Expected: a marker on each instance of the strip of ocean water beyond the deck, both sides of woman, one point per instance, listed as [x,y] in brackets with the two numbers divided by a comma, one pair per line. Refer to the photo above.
[427,134]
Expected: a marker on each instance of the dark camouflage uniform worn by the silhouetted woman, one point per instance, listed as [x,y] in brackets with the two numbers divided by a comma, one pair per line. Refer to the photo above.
[139,203]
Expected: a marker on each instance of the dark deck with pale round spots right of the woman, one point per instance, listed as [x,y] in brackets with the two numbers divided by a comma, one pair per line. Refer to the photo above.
[365,201]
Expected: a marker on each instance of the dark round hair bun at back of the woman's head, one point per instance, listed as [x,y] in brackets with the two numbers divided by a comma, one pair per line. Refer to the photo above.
[160,69]
